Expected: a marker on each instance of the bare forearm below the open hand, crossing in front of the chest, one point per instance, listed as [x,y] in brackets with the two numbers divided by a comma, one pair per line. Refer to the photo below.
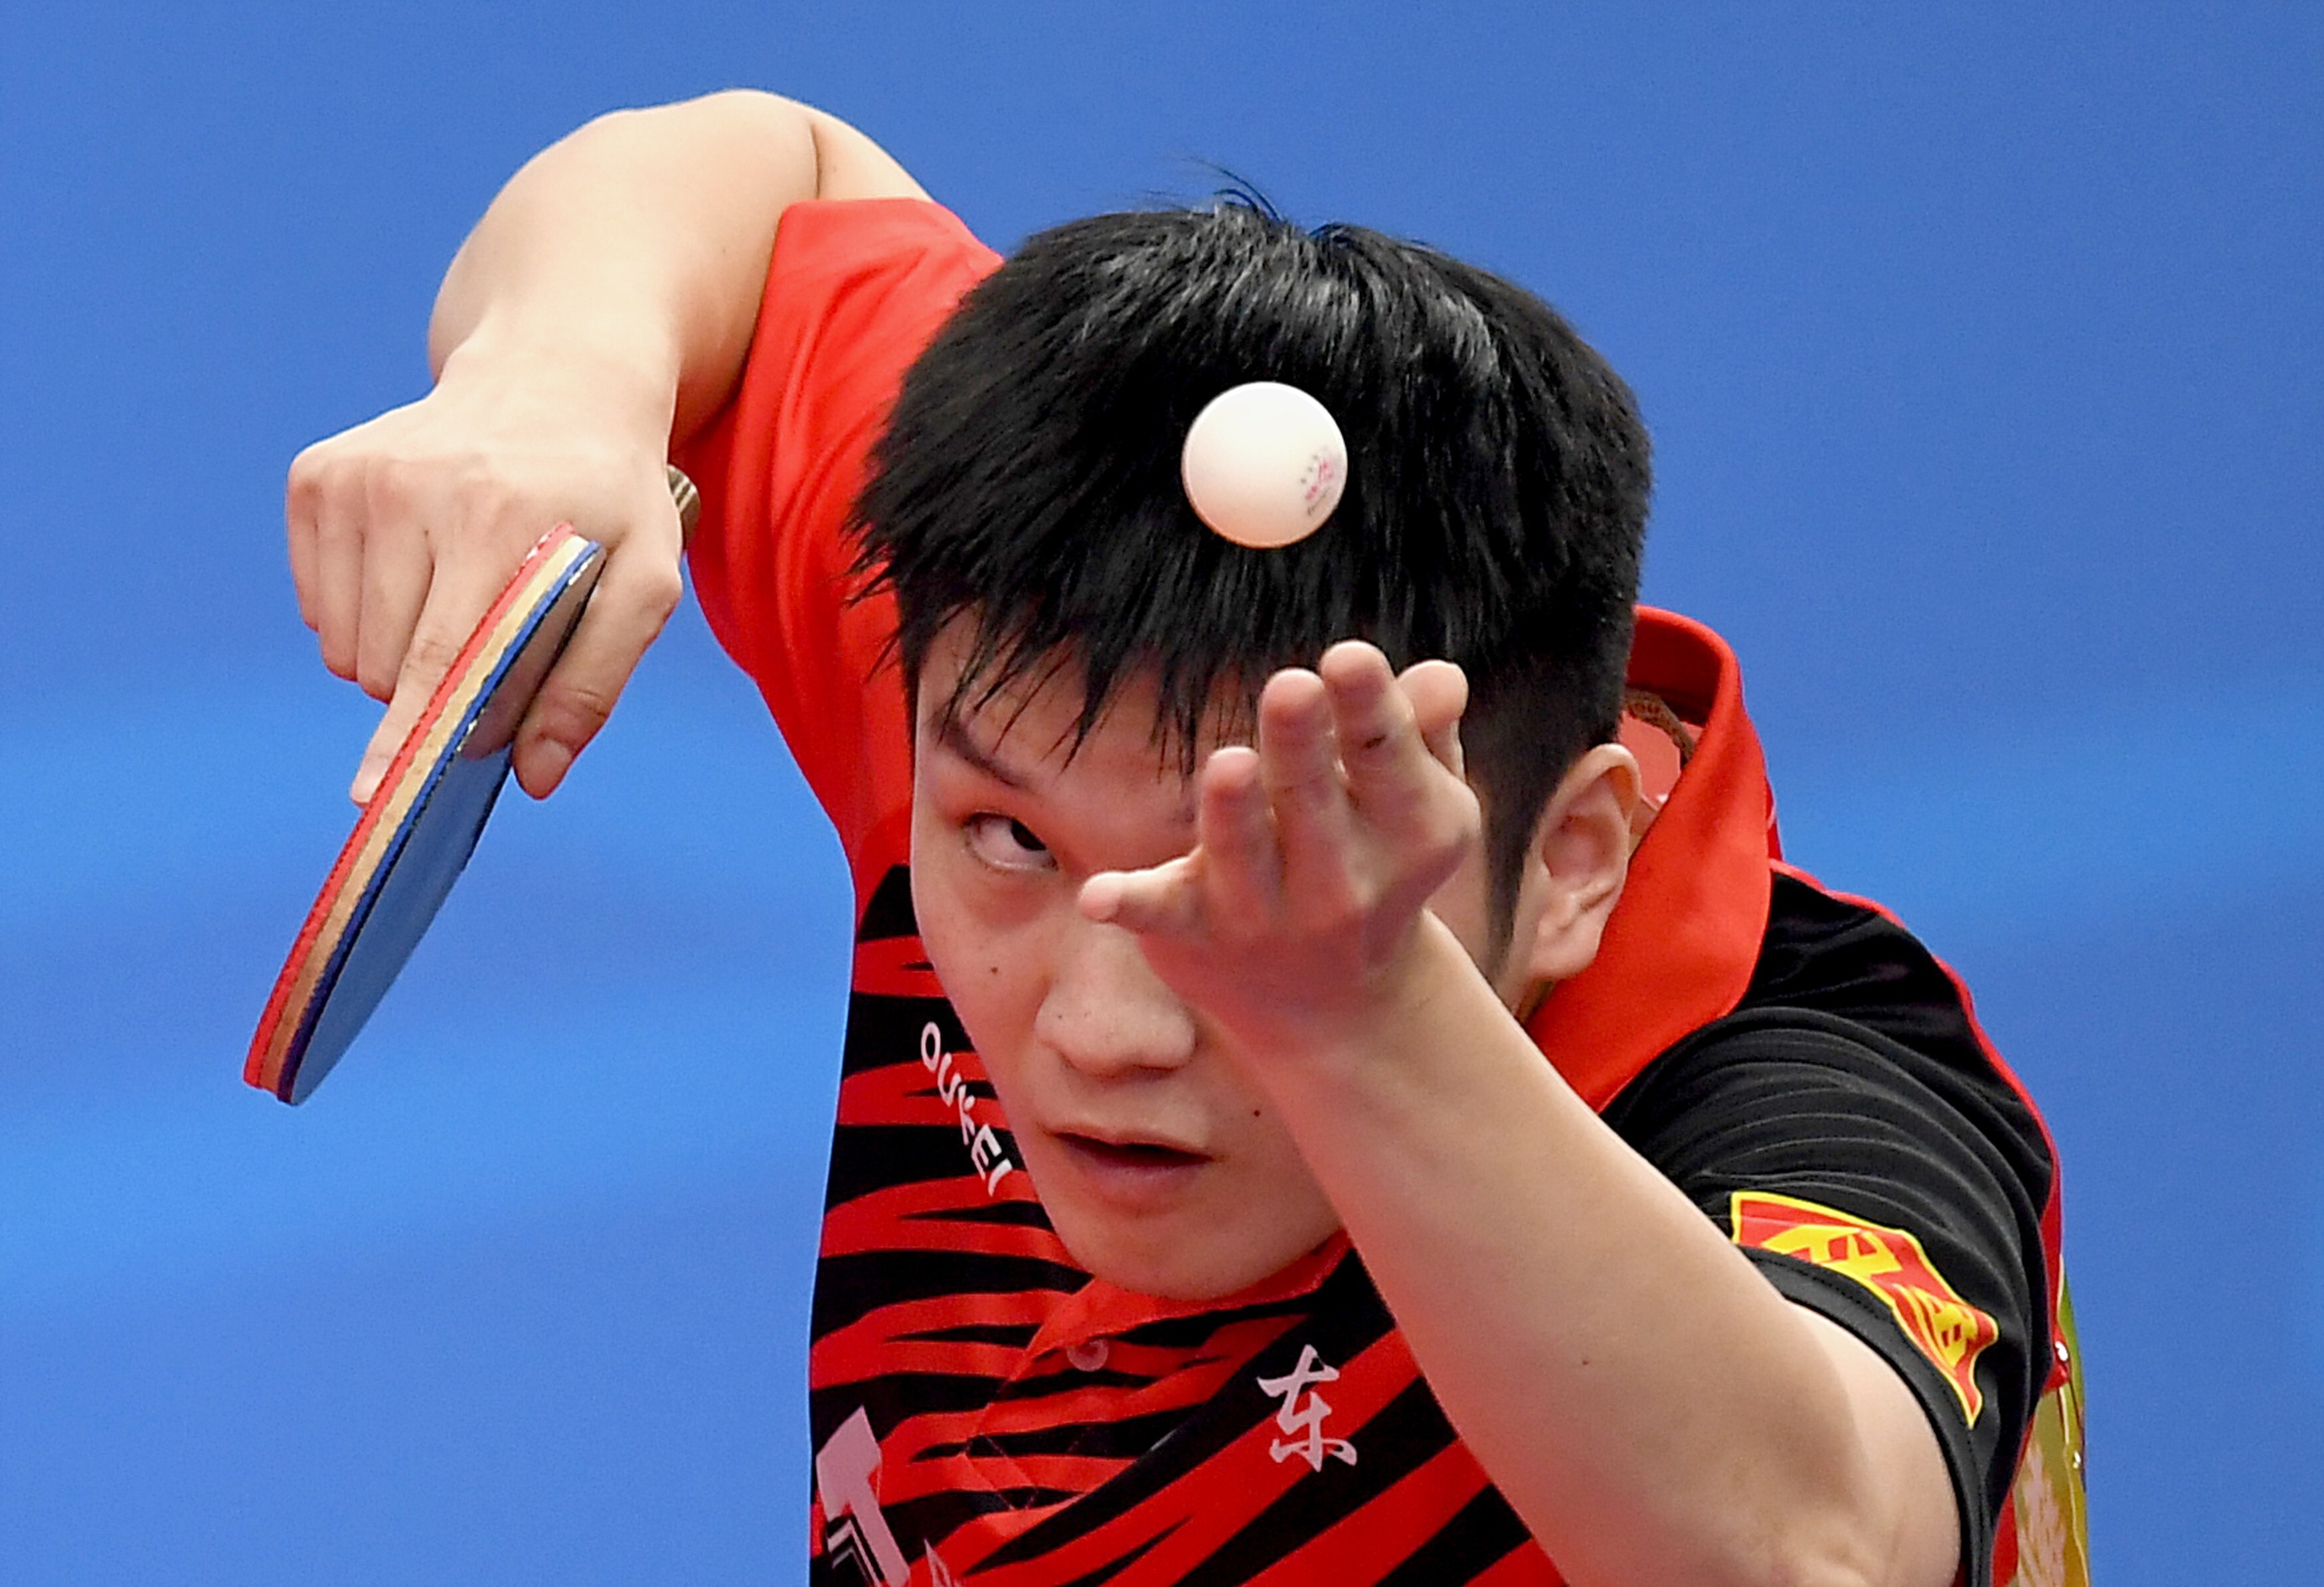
[1647,1402]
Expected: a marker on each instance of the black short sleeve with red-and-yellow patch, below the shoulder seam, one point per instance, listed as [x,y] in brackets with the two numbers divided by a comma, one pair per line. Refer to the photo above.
[1884,1189]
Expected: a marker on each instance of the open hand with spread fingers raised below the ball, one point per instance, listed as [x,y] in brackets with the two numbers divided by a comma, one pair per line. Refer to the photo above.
[1317,852]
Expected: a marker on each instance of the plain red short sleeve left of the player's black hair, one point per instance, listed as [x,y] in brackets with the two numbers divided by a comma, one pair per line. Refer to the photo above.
[854,292]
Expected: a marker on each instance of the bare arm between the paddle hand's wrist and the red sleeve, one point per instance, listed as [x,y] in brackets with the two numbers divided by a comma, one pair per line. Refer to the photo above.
[638,247]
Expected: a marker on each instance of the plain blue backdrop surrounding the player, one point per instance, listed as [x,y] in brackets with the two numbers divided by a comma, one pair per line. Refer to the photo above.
[1984,366]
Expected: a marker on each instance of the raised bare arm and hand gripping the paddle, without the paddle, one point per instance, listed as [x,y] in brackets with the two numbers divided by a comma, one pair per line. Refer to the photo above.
[598,313]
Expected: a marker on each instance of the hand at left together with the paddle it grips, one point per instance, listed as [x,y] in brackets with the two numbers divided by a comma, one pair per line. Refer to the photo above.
[403,540]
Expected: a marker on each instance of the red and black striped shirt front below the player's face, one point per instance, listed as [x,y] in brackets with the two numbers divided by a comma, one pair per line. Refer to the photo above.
[982,1405]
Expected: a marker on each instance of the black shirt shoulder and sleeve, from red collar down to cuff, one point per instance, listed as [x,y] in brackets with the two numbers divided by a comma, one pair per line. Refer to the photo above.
[1867,1149]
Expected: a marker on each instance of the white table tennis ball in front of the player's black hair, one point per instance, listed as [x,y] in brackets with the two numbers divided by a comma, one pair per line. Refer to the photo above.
[1263,464]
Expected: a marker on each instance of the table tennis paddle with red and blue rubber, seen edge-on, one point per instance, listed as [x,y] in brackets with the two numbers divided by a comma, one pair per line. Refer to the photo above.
[422,824]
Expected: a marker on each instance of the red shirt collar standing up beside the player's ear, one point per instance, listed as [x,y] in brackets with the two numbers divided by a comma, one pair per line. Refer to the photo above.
[1681,945]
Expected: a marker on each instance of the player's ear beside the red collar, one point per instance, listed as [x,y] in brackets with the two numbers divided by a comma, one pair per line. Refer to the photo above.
[1575,870]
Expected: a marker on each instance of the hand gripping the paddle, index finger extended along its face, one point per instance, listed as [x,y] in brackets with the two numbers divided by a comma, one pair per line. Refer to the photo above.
[406,529]
